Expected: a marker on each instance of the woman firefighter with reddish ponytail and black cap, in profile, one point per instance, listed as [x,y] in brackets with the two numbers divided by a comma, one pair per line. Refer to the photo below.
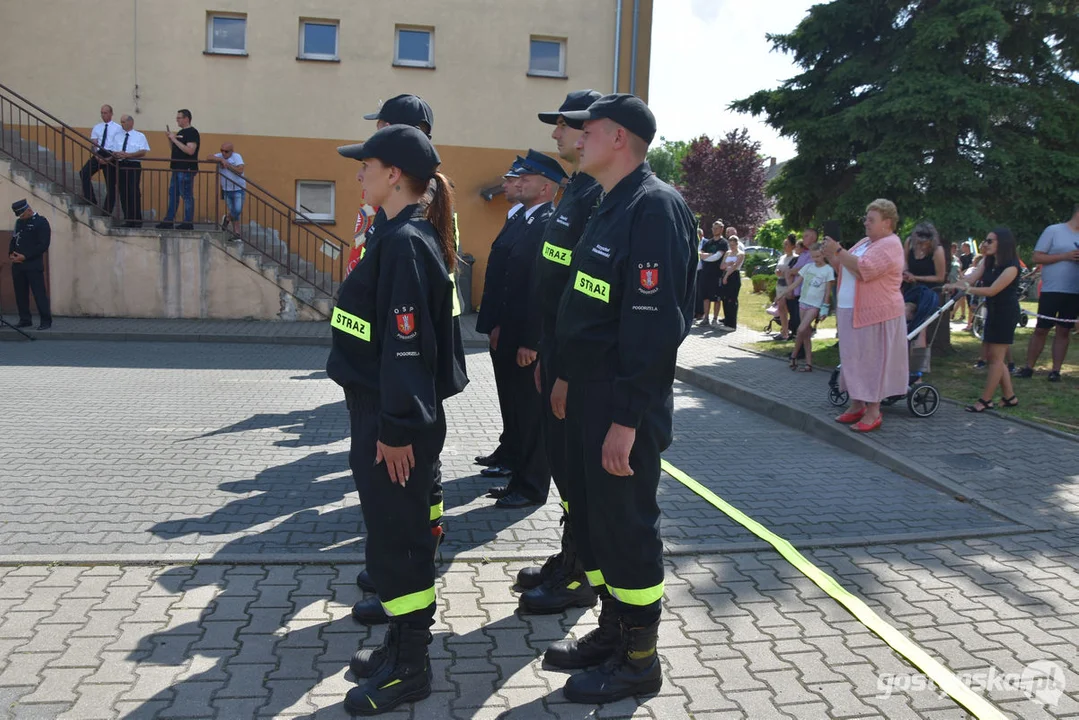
[394,356]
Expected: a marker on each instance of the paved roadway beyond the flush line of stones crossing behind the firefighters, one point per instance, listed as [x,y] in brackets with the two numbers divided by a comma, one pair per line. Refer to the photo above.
[156,451]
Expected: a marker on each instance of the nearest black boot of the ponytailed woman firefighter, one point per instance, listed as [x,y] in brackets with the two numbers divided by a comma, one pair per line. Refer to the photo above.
[404,677]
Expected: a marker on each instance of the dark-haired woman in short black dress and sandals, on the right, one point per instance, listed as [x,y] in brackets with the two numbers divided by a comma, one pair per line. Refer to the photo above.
[1000,287]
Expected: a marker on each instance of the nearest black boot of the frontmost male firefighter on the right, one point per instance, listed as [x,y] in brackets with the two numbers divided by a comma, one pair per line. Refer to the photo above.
[634,671]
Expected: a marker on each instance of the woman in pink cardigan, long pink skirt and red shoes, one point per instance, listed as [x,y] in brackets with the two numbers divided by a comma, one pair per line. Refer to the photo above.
[870,316]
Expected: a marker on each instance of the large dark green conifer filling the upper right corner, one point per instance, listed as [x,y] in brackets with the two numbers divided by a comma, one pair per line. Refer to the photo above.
[965,113]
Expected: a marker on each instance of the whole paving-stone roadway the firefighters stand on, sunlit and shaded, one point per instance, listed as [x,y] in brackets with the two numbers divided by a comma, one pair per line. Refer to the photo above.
[143,451]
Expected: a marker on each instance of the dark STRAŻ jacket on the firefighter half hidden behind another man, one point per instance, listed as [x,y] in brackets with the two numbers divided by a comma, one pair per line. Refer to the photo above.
[556,253]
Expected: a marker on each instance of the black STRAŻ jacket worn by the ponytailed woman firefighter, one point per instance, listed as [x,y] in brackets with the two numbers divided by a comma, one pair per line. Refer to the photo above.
[394,335]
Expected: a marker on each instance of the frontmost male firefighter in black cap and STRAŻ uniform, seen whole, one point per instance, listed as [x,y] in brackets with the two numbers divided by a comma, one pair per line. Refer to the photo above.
[621,321]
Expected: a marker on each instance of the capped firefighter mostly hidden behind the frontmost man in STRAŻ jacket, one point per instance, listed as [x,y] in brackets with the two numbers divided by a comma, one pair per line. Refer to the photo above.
[561,582]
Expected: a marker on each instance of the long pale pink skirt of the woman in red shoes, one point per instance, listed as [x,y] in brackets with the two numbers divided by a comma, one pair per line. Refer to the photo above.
[875,358]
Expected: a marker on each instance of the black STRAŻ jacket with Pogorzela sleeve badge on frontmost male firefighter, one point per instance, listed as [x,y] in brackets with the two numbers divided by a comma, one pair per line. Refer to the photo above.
[630,302]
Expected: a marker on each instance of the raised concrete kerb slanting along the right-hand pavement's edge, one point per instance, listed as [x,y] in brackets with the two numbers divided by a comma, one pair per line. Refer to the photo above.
[843,439]
